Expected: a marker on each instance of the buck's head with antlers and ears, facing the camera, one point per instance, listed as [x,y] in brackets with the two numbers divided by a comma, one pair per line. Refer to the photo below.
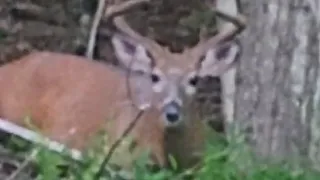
[174,76]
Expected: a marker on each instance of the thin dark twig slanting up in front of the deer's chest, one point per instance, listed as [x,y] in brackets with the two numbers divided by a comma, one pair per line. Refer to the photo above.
[116,144]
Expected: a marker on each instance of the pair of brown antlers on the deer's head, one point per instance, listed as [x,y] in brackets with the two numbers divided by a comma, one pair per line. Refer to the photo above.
[115,13]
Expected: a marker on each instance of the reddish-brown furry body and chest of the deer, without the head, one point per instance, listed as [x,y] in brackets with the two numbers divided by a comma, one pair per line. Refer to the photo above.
[61,92]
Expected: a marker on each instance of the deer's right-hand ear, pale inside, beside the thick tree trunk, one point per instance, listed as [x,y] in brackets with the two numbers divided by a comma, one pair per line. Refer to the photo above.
[219,59]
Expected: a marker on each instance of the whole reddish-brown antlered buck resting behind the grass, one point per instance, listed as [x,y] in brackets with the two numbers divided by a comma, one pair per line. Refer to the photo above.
[70,98]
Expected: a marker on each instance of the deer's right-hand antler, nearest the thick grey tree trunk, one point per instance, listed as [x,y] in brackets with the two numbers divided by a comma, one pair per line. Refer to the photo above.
[226,32]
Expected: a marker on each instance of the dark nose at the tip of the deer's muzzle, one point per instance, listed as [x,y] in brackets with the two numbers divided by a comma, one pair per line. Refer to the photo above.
[172,112]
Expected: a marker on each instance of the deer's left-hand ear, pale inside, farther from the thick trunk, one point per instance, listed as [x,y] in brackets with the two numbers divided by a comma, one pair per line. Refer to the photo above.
[131,54]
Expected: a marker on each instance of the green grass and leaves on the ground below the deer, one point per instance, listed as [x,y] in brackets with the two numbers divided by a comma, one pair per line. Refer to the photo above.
[221,162]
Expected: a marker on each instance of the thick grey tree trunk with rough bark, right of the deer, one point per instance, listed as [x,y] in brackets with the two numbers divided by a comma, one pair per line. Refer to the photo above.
[278,84]
